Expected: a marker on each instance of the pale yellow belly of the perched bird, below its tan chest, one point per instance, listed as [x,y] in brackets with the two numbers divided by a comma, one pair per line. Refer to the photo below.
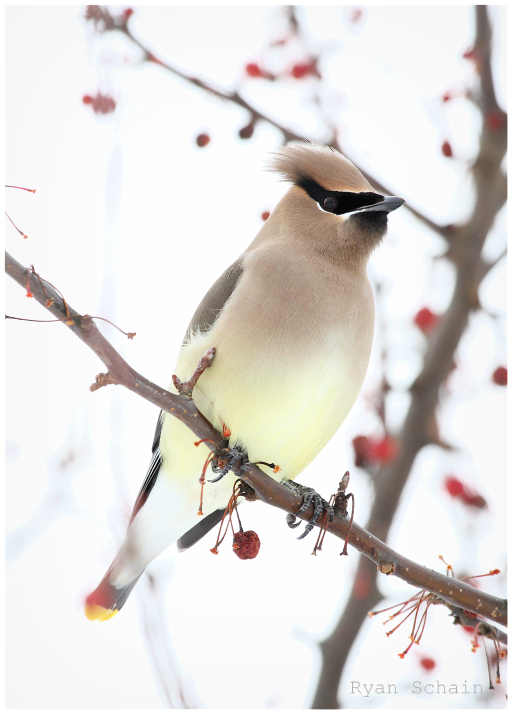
[282,411]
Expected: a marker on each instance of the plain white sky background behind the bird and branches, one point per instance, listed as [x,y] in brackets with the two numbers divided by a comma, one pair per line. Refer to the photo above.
[133,222]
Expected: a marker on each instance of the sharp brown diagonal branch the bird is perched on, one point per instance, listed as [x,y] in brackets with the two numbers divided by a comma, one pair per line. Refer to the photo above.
[388,561]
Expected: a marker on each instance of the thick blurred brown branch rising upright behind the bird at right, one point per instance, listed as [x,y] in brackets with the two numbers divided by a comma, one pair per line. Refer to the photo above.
[465,253]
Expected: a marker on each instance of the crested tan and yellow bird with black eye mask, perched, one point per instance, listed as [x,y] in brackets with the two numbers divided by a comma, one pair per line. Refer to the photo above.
[292,322]
